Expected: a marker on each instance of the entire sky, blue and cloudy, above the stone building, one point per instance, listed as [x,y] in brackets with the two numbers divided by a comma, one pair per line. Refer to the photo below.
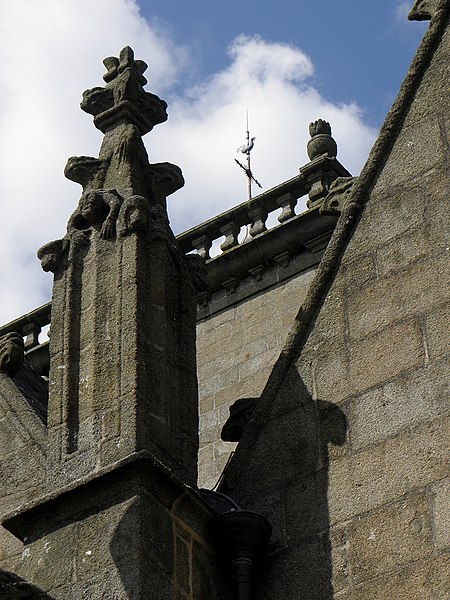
[287,63]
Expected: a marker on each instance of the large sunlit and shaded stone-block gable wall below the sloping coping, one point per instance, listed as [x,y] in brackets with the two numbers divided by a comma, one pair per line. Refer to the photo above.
[368,518]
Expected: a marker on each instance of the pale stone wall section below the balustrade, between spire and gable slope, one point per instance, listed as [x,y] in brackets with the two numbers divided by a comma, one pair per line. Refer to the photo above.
[236,350]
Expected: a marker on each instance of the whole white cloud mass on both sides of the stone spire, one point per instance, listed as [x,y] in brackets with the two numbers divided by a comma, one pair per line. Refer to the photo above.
[52,51]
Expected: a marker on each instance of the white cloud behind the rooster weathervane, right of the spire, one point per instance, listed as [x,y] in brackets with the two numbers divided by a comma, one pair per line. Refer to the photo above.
[271,81]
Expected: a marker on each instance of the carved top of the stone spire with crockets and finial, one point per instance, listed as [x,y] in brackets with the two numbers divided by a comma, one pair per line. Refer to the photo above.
[121,190]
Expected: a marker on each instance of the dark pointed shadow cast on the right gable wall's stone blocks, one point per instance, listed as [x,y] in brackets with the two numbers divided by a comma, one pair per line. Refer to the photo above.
[281,471]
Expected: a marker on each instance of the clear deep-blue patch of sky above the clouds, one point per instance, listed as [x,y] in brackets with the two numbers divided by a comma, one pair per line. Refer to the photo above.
[361,49]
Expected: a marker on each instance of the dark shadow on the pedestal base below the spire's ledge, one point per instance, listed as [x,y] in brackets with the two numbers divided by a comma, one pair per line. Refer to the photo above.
[162,550]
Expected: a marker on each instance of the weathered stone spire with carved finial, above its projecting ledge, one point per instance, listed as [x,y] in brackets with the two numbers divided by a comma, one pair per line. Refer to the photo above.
[122,351]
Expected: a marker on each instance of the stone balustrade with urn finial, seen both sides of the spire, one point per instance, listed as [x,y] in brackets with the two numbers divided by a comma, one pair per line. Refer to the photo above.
[305,230]
